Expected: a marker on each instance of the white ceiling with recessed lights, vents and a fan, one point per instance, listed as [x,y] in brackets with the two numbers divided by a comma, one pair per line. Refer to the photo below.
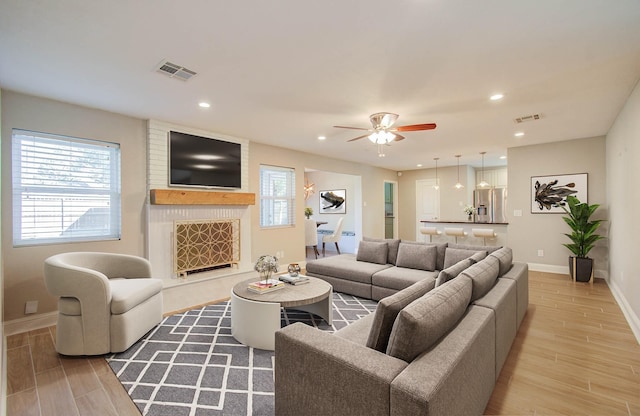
[284,72]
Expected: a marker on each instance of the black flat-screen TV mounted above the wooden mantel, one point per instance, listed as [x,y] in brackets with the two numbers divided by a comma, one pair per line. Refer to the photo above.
[203,162]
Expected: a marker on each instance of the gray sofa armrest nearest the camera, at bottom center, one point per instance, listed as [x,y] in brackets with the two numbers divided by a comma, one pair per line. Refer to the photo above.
[318,373]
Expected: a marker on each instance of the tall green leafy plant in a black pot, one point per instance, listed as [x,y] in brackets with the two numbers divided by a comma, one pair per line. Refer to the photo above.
[583,237]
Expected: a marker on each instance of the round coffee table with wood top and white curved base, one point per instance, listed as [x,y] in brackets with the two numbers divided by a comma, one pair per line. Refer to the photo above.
[255,317]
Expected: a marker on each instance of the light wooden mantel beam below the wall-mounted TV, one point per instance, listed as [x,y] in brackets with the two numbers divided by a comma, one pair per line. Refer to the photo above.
[181,197]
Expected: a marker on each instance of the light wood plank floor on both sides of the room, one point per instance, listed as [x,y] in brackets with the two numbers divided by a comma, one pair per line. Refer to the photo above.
[574,355]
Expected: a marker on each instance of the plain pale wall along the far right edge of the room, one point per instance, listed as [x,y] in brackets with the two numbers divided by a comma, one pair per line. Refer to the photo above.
[623,171]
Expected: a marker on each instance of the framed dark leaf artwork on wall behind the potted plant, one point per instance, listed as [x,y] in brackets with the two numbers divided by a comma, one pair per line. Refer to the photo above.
[549,193]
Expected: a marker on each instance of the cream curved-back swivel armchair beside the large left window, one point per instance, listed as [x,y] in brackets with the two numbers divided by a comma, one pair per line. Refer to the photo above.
[107,301]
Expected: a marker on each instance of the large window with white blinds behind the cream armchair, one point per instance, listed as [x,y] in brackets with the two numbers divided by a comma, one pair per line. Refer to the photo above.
[65,189]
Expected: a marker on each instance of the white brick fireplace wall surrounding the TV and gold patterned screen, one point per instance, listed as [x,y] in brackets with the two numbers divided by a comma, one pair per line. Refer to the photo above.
[160,217]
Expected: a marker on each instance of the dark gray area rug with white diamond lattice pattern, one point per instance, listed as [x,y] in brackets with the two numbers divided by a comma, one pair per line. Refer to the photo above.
[191,365]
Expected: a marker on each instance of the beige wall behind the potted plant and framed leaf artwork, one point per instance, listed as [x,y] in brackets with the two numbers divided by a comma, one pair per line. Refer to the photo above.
[532,232]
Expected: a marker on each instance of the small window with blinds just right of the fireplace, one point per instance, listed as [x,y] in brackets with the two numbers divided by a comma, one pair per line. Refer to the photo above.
[277,196]
